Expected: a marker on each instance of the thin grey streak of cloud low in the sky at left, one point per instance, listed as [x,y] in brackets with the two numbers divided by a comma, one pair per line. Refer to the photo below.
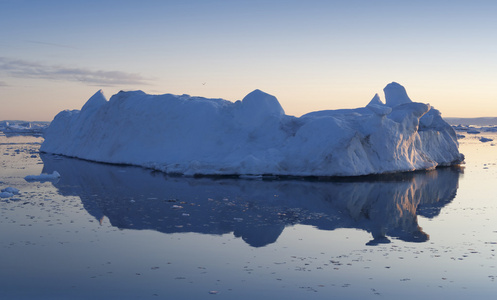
[29,69]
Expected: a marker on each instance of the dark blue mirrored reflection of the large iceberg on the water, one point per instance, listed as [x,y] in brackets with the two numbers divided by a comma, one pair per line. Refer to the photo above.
[255,210]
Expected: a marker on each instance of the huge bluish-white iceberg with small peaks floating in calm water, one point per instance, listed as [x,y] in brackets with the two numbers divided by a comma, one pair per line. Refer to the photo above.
[194,135]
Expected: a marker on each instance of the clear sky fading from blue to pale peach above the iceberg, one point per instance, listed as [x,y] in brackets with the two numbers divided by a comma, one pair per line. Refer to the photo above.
[311,55]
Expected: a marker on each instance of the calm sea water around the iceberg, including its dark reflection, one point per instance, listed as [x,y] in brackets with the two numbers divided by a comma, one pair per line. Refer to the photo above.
[116,232]
